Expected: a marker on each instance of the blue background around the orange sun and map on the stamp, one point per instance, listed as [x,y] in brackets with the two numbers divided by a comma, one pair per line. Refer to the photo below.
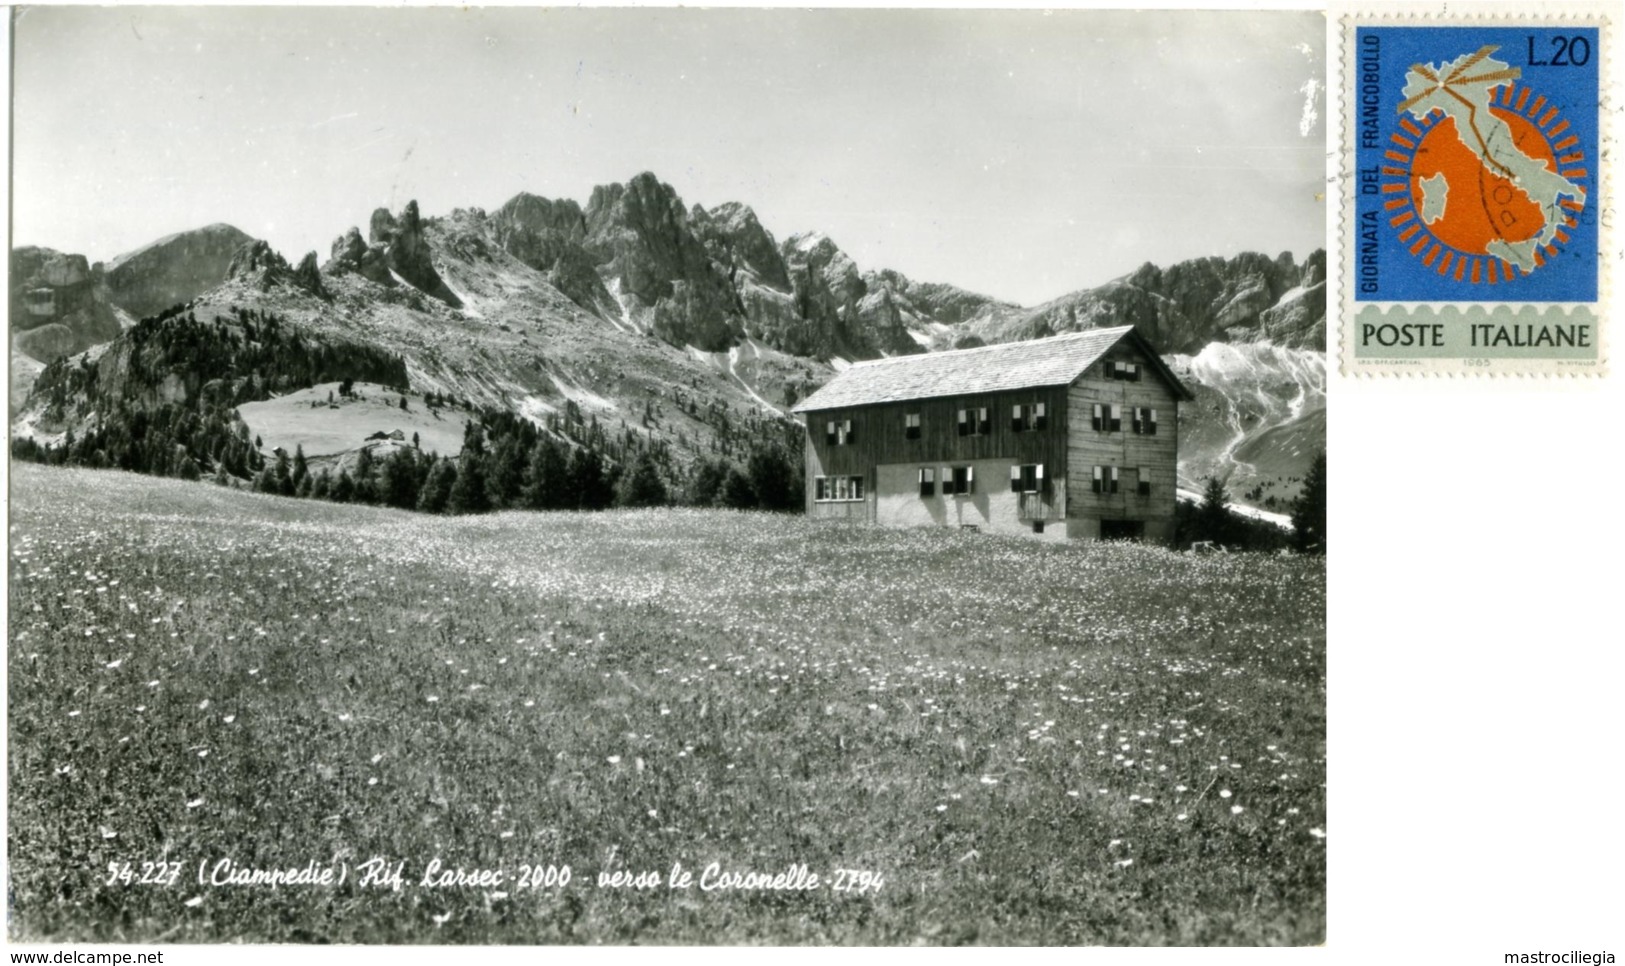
[1572,277]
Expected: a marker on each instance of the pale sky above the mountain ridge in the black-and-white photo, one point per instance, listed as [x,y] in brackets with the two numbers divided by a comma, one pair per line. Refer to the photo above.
[1015,154]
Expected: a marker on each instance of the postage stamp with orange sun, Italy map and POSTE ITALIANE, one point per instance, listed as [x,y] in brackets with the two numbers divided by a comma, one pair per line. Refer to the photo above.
[1475,209]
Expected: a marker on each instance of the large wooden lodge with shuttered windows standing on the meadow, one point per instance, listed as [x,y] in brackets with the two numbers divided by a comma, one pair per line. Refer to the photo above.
[1073,437]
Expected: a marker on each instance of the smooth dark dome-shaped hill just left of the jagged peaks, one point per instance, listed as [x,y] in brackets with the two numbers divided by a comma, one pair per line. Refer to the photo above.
[173,269]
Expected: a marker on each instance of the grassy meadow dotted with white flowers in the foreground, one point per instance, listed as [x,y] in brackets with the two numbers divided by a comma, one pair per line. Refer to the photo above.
[1023,742]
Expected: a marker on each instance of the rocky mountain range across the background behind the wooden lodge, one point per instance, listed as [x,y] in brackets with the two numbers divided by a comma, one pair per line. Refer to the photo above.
[690,328]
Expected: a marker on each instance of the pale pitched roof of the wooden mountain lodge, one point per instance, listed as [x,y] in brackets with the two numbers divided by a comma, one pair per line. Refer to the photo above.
[995,368]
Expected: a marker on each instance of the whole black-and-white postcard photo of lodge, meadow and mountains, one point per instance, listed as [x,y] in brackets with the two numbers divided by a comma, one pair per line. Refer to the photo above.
[548,477]
